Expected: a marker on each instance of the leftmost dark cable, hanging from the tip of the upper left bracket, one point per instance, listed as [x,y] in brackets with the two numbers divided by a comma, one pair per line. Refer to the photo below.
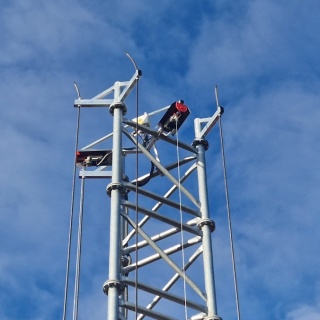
[66,288]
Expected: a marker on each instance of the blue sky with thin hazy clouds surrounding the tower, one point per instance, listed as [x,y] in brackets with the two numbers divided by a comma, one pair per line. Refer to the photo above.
[264,56]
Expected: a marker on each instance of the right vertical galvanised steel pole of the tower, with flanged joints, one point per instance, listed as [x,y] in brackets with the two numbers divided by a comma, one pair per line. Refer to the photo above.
[206,225]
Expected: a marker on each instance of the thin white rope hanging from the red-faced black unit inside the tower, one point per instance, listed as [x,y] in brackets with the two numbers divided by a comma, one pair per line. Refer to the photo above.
[181,226]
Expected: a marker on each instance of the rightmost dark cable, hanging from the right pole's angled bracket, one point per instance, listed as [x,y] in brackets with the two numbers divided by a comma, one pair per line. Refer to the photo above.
[229,220]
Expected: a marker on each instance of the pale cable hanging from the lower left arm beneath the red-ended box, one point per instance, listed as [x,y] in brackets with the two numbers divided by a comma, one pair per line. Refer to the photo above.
[78,260]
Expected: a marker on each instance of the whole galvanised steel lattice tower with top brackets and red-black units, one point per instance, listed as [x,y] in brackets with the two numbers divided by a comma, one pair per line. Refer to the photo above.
[160,248]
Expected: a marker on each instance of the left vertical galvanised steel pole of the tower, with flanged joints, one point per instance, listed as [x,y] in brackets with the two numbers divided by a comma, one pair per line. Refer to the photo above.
[114,286]
